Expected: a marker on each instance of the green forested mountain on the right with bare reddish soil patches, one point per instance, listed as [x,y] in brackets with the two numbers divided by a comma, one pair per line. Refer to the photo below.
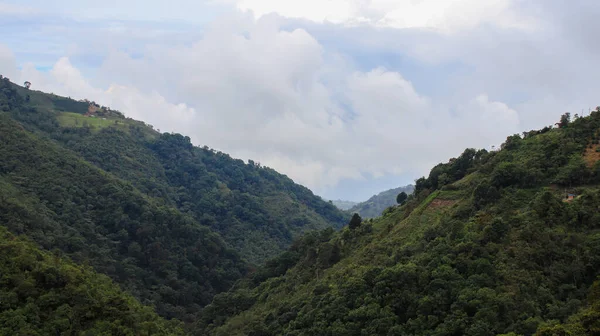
[490,243]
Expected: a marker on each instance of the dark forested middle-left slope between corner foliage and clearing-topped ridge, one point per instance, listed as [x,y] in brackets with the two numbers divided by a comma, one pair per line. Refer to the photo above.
[158,254]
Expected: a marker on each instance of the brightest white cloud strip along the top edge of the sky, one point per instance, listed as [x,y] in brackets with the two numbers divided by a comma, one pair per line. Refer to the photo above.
[443,15]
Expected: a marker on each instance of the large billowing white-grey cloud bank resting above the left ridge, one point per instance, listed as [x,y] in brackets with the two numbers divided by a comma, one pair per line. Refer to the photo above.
[261,93]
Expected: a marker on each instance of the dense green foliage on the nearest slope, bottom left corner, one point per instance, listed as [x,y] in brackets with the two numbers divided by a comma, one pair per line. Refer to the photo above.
[44,294]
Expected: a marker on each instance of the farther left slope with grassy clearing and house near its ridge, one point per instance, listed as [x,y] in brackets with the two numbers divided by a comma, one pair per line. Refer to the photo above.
[255,209]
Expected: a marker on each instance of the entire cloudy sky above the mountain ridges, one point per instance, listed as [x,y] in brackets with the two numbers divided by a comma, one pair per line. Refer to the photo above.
[348,97]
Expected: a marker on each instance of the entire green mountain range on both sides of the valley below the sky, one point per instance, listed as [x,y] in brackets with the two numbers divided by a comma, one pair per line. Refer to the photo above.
[109,227]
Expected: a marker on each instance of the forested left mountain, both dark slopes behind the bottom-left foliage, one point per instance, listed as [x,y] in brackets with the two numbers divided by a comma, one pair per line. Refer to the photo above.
[173,224]
